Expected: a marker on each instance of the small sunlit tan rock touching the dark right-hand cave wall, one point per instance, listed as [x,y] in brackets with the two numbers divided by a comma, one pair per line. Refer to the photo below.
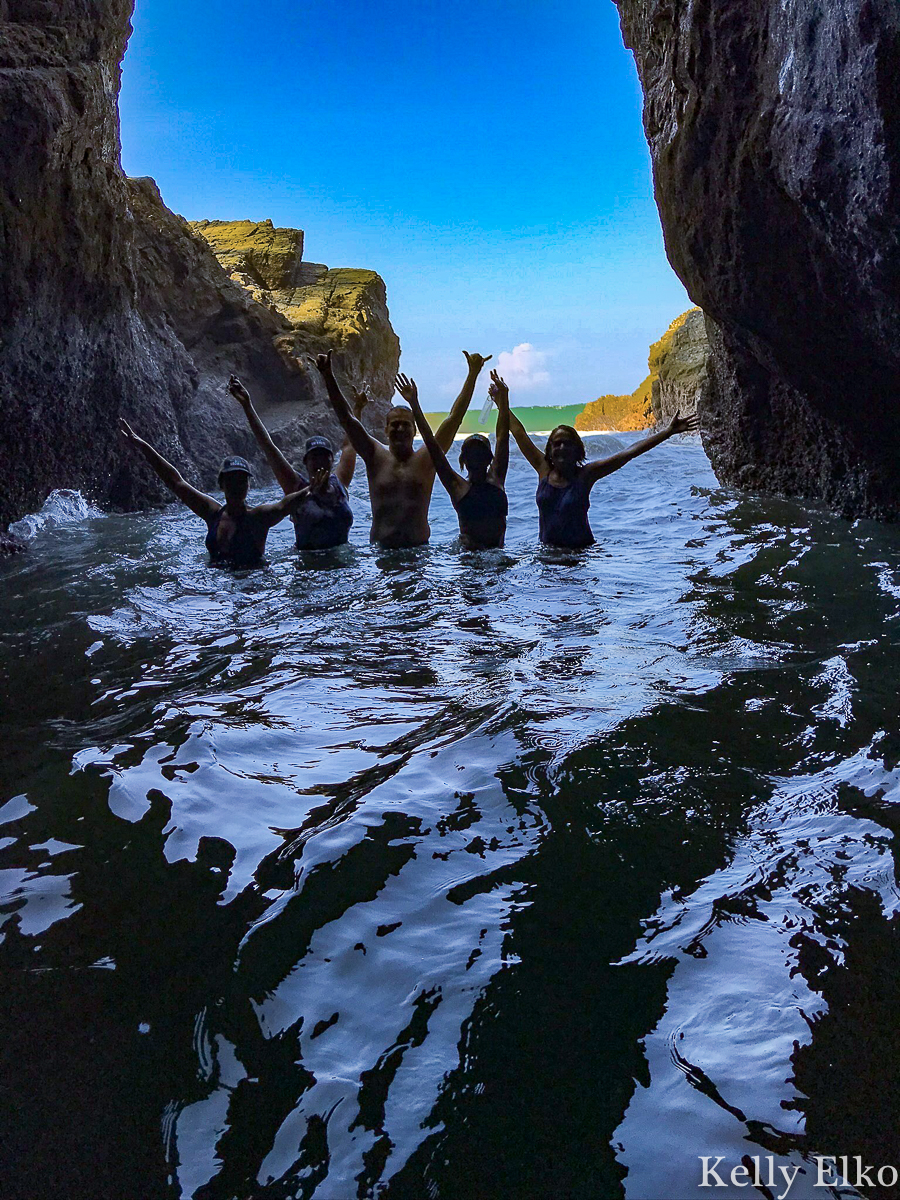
[680,369]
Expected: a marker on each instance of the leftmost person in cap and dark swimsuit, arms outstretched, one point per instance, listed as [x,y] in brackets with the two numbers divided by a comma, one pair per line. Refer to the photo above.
[236,535]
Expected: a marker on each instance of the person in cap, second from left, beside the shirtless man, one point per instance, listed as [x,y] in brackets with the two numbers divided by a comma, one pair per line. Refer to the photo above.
[325,518]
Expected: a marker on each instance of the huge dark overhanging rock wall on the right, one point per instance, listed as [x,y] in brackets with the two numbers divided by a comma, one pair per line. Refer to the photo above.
[775,130]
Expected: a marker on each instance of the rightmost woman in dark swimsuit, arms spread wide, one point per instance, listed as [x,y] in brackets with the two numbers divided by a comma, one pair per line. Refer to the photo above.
[565,478]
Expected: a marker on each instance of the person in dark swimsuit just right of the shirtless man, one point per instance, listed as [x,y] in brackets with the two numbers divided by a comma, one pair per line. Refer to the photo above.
[481,500]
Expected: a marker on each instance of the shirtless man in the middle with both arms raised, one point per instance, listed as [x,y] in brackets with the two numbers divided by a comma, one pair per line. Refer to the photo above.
[400,478]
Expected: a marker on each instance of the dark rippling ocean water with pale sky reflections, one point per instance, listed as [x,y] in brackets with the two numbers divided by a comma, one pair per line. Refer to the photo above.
[437,874]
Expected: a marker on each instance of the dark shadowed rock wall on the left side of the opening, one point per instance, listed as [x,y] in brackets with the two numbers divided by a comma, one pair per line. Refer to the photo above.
[110,305]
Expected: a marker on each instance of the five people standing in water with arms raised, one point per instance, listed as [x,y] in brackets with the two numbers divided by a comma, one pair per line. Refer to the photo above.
[400,478]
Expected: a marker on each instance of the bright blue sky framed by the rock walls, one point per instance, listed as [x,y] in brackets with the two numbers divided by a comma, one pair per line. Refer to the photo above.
[488,161]
